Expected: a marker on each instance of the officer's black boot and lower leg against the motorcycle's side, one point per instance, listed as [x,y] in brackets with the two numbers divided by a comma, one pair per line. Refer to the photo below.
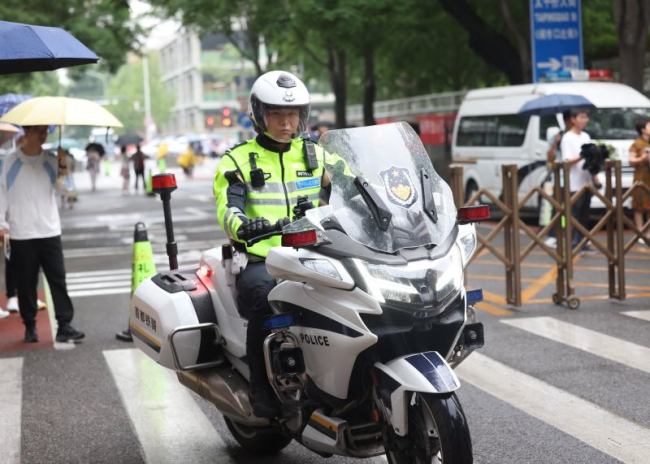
[263,398]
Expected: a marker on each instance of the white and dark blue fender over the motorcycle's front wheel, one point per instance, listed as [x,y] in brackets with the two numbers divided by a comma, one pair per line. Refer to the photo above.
[421,372]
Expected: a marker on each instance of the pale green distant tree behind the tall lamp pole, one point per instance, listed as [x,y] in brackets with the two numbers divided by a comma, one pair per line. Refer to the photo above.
[126,95]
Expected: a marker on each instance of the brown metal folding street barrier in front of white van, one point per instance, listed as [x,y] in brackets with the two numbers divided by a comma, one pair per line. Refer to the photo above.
[562,220]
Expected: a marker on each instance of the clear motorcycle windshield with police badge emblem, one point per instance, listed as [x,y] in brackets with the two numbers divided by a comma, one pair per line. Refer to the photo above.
[385,193]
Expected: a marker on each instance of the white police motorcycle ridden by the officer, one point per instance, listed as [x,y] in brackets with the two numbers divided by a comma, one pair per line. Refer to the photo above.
[370,313]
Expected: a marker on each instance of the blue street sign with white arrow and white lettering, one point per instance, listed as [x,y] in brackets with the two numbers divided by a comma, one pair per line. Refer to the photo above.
[556,36]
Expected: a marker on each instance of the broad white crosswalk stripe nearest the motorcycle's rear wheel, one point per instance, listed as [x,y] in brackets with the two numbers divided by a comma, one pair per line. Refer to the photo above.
[169,424]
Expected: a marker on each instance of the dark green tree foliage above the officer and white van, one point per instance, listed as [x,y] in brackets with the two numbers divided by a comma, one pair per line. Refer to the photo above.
[417,46]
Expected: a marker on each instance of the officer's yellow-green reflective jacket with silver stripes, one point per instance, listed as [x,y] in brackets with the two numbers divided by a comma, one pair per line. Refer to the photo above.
[286,179]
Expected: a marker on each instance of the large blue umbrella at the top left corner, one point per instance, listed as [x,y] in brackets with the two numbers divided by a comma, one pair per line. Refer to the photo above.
[27,48]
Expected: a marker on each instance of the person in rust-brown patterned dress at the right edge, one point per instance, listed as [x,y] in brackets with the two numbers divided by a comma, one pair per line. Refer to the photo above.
[640,159]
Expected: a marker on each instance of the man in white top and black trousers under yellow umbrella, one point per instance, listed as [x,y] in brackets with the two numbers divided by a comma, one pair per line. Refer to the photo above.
[28,210]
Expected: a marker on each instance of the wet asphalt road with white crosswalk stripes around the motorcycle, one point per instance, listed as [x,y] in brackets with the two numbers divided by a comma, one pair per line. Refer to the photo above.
[576,369]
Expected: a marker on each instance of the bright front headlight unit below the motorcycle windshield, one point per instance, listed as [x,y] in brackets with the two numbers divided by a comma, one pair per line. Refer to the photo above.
[419,283]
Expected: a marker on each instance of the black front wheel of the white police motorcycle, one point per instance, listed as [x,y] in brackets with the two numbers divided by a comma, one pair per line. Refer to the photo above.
[437,433]
